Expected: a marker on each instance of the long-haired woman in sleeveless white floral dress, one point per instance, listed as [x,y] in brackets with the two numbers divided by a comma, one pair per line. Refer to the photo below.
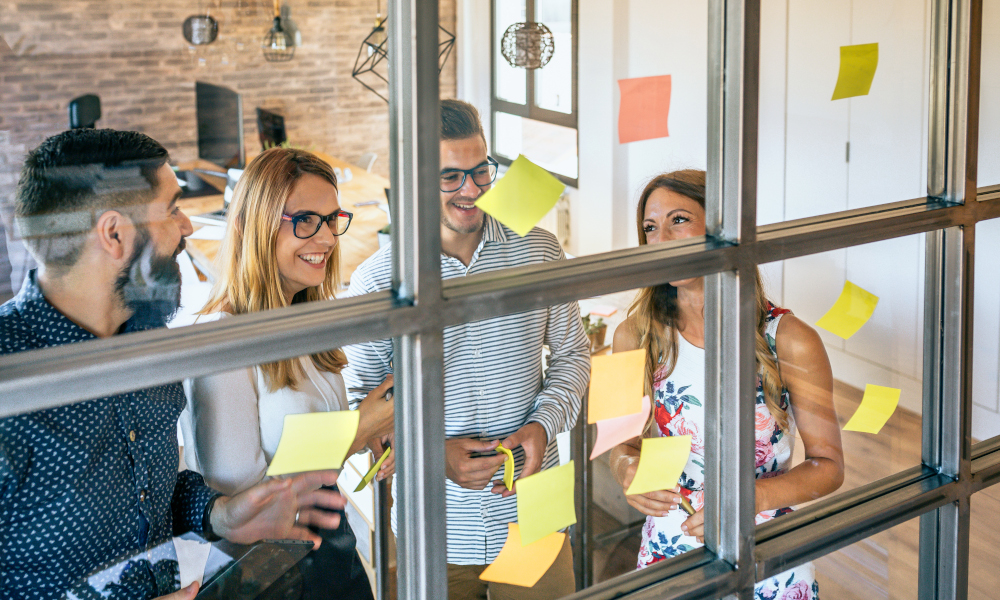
[794,391]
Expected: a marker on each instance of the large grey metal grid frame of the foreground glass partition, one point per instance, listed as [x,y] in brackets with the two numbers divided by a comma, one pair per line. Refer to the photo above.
[421,306]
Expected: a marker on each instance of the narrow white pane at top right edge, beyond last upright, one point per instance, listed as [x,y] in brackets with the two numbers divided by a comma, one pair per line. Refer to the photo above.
[989,97]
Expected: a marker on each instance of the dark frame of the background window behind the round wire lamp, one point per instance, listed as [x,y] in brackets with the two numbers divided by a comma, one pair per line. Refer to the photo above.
[529,109]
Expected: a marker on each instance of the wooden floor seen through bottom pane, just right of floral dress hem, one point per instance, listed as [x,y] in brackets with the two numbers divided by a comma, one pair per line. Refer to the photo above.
[881,566]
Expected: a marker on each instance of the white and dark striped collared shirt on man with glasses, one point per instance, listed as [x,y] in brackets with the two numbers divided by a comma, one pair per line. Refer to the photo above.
[493,378]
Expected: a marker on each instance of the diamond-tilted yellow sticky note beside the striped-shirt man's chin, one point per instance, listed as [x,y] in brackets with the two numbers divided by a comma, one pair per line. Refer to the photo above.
[522,196]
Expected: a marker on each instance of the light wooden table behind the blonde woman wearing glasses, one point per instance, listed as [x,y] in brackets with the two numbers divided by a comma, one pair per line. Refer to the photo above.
[356,245]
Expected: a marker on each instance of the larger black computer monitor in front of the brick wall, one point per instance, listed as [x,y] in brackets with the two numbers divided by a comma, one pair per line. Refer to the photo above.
[220,125]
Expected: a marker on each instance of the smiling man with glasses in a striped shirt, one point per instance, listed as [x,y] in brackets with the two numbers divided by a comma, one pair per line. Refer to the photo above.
[494,387]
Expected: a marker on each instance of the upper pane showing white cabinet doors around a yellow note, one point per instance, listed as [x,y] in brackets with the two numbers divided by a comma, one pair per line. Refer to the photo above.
[818,155]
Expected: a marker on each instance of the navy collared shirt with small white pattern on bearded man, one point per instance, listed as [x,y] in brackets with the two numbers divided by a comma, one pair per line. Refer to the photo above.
[84,484]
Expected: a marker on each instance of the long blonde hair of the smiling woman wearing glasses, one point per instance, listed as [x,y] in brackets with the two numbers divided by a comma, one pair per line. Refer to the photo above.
[249,280]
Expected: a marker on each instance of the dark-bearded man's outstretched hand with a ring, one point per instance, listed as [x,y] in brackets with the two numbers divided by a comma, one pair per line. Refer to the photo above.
[281,508]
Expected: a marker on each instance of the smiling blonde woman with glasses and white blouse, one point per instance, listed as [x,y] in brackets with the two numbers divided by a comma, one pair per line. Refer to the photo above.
[280,248]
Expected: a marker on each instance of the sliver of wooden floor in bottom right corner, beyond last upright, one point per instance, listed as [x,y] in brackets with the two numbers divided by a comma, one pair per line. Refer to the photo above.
[984,539]
